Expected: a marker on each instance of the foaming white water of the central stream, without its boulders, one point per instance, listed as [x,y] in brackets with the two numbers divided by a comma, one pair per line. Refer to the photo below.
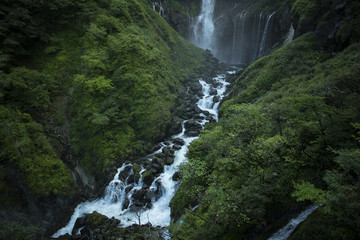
[116,193]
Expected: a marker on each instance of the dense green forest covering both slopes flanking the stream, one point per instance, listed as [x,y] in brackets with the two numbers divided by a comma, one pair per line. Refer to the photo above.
[88,85]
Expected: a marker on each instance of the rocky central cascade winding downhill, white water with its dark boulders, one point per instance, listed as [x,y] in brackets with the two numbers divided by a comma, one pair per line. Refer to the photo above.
[134,199]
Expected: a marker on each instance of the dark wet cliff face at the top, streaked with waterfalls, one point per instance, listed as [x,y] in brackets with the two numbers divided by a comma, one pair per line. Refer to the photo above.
[241,31]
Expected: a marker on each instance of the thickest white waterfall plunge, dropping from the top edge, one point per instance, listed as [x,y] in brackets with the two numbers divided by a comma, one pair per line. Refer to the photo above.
[203,28]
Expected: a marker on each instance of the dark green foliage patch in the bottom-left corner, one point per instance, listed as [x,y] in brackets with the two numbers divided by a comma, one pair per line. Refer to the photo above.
[17,231]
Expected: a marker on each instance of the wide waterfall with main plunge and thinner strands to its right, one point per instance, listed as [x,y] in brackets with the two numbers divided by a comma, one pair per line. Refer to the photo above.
[233,34]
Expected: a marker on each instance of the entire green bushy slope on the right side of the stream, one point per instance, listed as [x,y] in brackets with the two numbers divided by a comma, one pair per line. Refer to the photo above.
[288,132]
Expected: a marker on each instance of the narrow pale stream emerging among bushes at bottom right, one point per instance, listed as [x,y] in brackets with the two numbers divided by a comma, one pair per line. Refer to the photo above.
[285,232]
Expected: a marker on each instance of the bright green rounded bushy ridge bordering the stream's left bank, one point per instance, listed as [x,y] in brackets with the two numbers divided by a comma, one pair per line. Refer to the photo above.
[130,75]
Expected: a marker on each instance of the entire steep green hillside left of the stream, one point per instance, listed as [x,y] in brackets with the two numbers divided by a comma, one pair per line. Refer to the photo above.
[85,86]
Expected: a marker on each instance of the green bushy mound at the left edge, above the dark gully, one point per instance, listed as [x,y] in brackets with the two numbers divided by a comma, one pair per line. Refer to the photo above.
[25,144]
